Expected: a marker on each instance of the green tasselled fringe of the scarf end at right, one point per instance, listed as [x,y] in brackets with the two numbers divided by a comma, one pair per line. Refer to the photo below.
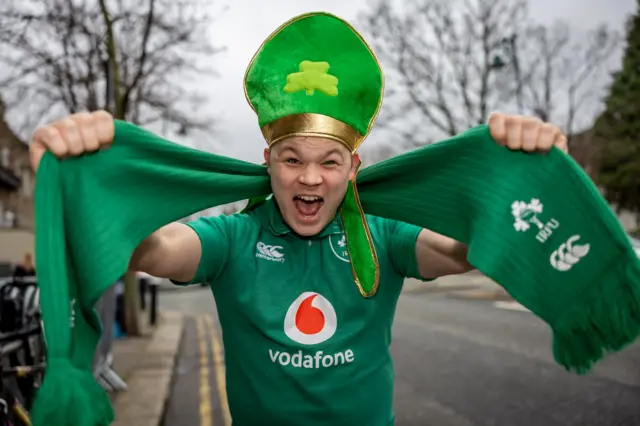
[605,320]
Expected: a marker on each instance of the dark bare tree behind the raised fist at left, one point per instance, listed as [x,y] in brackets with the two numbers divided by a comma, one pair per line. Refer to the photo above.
[65,56]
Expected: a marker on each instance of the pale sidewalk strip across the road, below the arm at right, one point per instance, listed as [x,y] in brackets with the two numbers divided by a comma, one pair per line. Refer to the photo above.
[472,285]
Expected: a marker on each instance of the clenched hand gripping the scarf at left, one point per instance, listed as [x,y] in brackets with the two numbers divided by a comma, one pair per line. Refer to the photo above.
[72,136]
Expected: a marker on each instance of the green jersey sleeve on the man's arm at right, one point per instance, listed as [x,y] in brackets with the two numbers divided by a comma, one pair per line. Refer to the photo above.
[401,242]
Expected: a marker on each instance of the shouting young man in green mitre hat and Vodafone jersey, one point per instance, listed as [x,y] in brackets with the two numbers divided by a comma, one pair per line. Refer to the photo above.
[303,346]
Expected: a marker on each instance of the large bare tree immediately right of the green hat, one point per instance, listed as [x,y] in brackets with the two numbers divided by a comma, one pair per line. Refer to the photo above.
[439,61]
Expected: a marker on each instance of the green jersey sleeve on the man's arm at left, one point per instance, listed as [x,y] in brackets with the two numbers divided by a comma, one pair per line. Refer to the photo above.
[214,238]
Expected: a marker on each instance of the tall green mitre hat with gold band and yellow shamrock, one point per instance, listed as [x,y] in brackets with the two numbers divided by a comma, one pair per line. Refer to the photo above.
[315,76]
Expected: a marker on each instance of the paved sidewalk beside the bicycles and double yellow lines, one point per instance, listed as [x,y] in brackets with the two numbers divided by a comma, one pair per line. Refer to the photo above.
[146,365]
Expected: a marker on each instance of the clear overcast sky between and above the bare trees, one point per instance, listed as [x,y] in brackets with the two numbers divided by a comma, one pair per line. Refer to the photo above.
[246,23]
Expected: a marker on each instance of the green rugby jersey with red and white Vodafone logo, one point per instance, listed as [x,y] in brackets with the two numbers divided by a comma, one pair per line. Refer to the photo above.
[302,346]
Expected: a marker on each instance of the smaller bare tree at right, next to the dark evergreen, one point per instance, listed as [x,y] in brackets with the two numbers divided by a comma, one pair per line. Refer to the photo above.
[564,72]
